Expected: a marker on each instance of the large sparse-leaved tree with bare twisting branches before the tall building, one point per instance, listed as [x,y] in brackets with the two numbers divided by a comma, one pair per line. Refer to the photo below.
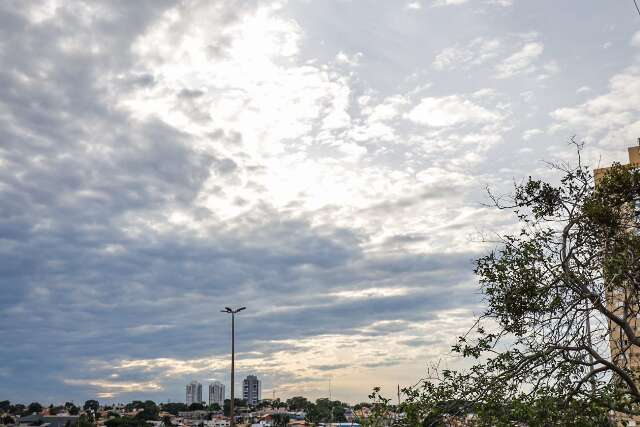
[555,292]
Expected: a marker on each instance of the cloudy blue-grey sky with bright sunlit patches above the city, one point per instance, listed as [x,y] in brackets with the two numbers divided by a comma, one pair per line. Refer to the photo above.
[321,162]
